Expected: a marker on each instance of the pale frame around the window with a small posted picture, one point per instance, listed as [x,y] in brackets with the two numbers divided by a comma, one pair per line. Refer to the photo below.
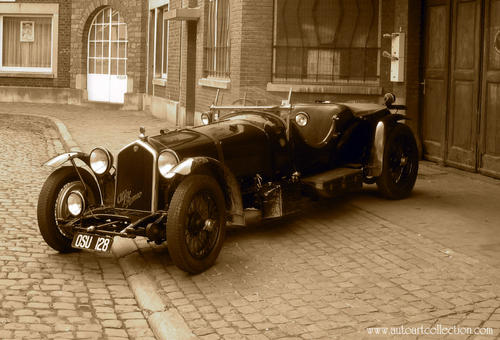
[23,10]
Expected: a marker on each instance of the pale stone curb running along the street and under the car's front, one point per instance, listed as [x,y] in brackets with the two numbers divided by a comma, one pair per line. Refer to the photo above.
[164,322]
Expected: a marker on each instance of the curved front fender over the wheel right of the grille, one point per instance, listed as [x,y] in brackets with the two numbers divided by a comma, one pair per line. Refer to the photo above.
[224,177]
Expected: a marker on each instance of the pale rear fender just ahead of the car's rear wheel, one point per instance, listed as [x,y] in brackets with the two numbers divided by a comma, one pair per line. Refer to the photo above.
[382,130]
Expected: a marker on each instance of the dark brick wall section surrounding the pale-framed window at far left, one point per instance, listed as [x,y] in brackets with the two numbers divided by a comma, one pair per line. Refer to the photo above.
[63,54]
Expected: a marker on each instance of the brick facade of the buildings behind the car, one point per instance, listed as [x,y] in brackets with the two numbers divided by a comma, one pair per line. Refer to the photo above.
[251,33]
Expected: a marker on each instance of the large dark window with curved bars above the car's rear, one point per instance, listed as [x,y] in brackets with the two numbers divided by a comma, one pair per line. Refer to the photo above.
[326,41]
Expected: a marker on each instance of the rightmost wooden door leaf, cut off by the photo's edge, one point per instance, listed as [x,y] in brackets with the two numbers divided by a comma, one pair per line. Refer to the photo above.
[490,104]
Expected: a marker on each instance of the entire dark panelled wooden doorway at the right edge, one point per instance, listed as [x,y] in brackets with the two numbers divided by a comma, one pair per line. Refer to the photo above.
[461,84]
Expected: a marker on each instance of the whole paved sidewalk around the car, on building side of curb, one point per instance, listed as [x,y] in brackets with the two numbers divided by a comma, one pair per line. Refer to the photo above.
[340,267]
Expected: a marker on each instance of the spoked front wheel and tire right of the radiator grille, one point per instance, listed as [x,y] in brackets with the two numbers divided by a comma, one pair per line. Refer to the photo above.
[194,243]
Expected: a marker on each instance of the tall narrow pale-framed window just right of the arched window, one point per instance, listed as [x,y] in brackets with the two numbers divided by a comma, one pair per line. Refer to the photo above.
[161,36]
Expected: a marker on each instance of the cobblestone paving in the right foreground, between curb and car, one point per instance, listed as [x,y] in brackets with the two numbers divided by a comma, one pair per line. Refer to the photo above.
[329,275]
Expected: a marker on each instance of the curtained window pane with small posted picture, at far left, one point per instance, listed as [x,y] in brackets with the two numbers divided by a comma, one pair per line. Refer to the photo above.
[26,43]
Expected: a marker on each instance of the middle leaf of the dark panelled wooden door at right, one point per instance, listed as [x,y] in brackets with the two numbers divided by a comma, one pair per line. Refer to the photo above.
[463,105]
